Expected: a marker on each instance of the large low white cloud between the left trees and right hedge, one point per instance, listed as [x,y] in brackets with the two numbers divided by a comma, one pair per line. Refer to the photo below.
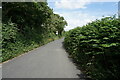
[75,19]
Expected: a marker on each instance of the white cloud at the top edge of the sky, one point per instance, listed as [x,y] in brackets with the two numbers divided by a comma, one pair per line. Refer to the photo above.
[71,4]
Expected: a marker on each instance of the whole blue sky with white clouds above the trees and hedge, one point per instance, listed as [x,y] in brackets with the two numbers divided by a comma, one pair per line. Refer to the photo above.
[79,12]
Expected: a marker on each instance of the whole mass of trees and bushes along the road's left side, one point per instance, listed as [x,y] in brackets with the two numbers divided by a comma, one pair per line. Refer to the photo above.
[27,25]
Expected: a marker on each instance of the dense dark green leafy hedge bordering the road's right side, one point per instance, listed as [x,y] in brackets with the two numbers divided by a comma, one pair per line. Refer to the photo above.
[96,48]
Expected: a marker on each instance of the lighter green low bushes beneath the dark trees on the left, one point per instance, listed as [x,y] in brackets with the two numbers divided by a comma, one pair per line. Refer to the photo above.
[15,43]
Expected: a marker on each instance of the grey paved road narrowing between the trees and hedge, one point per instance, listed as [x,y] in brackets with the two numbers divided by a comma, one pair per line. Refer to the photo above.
[47,61]
